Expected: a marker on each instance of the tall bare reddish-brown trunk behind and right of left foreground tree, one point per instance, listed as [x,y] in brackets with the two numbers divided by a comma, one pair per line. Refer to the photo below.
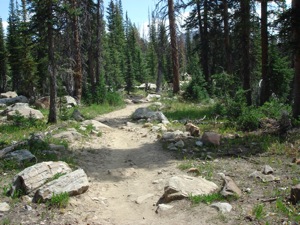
[78,63]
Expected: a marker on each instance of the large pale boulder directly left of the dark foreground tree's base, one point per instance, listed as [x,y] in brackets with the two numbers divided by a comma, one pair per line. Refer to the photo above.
[24,110]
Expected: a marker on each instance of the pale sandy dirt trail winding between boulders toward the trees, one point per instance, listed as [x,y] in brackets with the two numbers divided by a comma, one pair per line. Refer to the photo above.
[127,168]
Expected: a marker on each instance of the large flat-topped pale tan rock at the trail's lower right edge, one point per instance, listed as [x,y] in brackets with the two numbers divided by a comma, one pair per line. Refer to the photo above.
[179,187]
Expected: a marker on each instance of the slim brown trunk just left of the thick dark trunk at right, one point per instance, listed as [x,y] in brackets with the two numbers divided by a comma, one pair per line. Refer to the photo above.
[226,39]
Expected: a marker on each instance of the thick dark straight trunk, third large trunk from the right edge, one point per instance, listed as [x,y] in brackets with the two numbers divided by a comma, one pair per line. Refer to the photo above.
[245,13]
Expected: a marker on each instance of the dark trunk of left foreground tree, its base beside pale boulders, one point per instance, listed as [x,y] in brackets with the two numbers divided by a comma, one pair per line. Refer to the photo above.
[51,67]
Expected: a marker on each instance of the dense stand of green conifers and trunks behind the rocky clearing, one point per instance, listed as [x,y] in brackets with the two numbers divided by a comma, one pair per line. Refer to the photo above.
[245,51]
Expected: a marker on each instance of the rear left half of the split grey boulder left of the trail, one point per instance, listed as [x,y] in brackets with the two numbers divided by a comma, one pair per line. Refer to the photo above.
[35,176]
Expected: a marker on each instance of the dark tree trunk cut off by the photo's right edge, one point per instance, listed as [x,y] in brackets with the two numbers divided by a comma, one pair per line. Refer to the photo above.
[296,39]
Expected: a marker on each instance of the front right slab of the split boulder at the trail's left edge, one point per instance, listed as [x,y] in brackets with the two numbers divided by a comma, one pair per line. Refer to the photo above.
[74,183]
